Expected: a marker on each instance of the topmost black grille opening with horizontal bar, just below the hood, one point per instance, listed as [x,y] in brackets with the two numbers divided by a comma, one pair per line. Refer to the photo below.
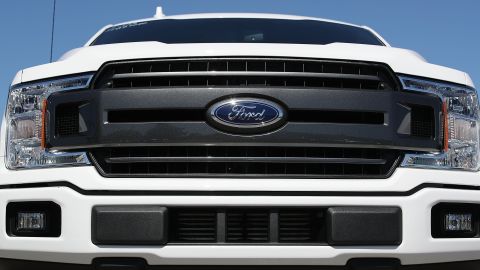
[248,72]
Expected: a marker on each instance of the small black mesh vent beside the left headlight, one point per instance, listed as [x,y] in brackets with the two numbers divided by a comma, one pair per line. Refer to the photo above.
[67,120]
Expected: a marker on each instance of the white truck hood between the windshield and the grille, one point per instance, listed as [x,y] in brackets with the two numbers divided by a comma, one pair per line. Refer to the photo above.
[90,59]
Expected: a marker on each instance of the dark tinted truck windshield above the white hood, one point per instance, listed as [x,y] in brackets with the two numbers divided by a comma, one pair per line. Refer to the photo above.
[237,30]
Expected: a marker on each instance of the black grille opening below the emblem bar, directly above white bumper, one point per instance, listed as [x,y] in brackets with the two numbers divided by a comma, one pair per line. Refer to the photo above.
[238,161]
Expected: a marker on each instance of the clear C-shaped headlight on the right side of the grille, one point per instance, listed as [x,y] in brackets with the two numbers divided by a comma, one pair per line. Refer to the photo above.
[461,124]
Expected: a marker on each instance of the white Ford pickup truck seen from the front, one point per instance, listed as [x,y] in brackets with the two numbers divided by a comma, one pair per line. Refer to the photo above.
[240,141]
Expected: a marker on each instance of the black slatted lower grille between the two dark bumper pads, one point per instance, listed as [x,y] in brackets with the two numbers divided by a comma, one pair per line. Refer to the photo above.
[247,225]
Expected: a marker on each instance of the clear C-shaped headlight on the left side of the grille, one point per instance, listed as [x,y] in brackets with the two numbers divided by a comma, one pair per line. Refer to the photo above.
[26,129]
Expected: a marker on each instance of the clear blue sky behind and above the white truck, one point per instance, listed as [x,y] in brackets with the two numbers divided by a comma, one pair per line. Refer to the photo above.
[444,32]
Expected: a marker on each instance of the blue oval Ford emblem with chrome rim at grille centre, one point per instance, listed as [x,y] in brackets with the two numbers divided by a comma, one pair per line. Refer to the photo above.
[246,115]
